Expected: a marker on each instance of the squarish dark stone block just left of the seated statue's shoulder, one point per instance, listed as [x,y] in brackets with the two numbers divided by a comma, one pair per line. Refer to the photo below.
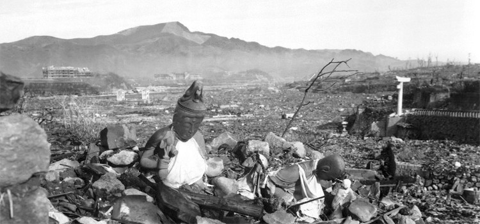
[118,137]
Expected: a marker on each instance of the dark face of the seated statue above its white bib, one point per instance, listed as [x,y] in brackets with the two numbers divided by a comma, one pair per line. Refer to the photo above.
[186,126]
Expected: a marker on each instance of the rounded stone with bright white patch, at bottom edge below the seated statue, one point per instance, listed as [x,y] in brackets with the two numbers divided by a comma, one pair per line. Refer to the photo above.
[136,209]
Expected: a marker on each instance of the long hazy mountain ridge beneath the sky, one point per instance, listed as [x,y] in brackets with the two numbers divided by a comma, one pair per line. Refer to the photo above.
[143,51]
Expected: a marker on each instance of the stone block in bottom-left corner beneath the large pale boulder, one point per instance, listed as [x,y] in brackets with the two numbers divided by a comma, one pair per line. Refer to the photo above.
[29,208]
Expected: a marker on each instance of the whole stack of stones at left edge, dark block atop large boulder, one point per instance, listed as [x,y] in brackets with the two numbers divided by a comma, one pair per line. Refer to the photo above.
[24,153]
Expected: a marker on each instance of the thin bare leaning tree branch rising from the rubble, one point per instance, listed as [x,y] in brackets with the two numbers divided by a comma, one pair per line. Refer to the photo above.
[319,74]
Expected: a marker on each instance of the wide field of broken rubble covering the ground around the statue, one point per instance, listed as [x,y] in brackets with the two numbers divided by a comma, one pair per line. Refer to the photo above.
[94,175]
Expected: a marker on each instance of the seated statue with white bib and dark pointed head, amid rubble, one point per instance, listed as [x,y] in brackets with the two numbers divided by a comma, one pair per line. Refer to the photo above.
[180,147]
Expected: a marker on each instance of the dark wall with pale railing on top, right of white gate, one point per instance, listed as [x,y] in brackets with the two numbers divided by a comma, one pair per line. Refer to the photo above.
[458,126]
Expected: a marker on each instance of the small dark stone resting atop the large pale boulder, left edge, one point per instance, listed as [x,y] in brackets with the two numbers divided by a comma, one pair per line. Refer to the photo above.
[11,90]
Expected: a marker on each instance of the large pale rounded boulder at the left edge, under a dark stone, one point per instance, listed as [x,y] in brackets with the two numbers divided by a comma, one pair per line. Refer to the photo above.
[24,149]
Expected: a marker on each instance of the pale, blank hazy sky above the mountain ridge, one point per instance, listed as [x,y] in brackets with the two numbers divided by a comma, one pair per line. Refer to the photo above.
[403,29]
